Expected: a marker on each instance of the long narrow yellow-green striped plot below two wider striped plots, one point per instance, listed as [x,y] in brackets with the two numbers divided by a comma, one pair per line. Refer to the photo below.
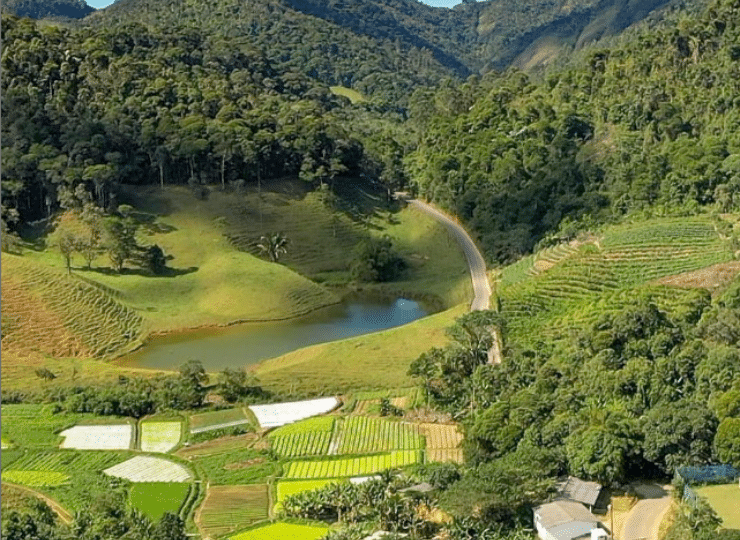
[337,468]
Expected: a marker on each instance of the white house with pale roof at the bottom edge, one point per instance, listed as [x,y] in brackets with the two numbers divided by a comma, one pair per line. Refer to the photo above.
[567,520]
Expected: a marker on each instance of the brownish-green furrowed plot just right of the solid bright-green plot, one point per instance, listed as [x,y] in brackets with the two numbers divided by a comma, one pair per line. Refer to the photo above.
[229,508]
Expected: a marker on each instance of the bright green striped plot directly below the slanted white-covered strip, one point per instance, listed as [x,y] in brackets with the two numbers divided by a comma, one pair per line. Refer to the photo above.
[305,438]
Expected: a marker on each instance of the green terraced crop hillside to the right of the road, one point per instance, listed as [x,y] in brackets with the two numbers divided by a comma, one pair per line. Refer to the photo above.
[541,287]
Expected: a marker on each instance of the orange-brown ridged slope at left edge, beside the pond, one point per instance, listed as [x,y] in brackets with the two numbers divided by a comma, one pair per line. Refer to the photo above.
[48,311]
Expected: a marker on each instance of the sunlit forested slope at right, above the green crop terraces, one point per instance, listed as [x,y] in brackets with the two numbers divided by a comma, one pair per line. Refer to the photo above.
[652,124]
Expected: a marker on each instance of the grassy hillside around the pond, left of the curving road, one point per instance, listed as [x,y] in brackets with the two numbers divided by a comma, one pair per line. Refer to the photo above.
[218,276]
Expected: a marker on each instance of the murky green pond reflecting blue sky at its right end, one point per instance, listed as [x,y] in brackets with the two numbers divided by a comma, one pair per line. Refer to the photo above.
[245,344]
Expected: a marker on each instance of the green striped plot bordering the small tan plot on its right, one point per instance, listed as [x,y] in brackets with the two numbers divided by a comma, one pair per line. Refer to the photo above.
[363,435]
